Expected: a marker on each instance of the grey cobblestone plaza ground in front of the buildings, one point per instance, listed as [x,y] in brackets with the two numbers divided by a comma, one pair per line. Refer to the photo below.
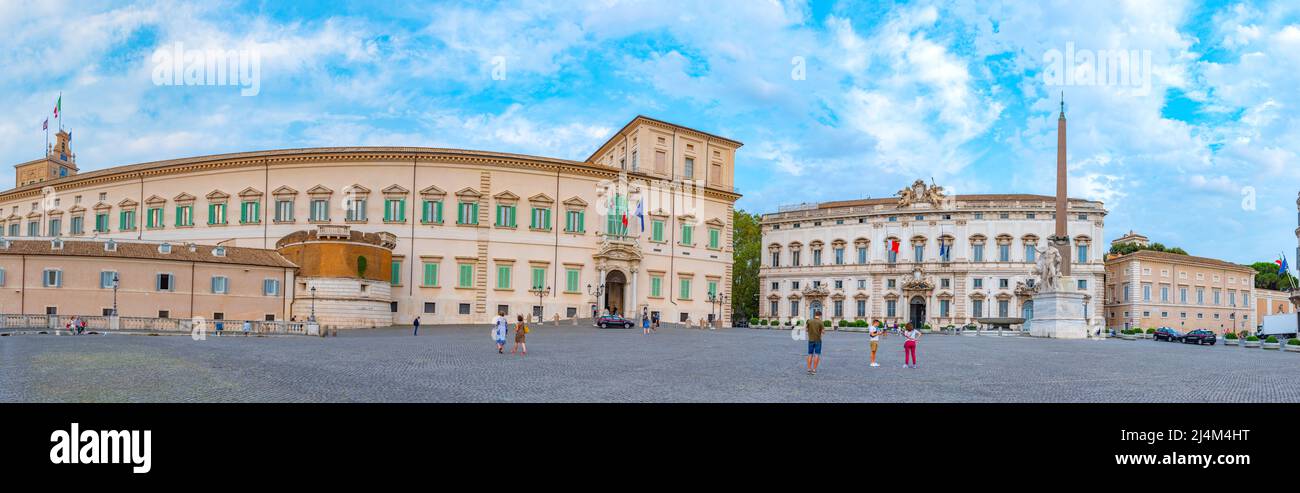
[586,365]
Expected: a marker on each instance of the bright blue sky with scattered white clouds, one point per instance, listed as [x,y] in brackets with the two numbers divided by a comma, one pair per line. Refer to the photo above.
[1188,140]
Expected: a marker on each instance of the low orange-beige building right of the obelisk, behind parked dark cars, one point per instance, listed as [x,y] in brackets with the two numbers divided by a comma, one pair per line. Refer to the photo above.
[1151,289]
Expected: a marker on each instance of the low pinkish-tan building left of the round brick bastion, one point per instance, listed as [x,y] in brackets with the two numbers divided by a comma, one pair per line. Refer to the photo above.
[154,280]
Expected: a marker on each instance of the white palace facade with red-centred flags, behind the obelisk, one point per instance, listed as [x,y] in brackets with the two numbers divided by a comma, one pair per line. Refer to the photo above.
[959,258]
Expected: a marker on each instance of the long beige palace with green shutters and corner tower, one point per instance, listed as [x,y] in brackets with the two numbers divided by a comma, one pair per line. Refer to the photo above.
[475,232]
